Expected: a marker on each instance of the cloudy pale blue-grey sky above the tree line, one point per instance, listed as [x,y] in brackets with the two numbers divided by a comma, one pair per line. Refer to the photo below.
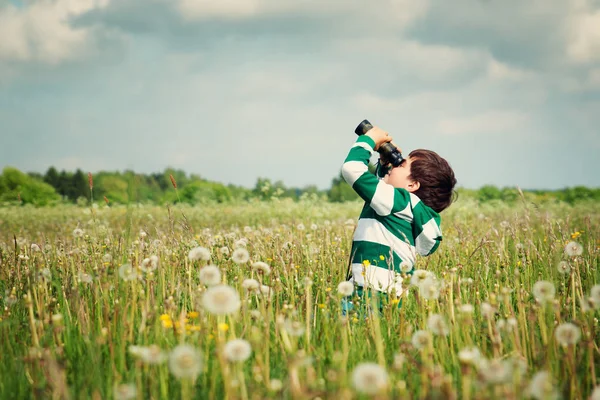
[508,91]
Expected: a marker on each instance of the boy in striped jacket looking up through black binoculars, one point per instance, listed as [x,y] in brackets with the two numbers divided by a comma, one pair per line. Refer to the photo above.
[401,213]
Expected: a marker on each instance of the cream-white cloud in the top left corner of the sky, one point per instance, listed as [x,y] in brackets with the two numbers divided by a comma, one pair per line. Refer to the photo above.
[42,32]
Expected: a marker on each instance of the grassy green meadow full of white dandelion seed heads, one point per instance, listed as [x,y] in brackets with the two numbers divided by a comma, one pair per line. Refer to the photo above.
[244,302]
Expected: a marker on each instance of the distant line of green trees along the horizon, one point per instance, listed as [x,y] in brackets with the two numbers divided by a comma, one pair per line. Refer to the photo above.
[174,185]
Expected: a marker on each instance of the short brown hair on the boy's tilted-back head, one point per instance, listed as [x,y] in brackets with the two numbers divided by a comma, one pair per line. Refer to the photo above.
[436,179]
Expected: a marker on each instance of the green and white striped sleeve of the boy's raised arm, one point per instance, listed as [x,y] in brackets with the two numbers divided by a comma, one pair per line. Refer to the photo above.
[382,197]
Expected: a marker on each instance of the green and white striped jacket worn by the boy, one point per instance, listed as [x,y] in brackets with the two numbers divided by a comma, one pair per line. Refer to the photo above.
[393,227]
